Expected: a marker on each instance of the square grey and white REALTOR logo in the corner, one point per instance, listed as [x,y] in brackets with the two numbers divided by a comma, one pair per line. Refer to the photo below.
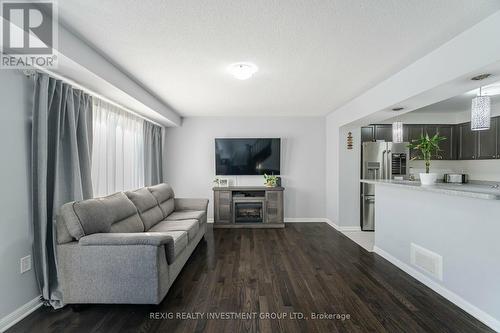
[28,34]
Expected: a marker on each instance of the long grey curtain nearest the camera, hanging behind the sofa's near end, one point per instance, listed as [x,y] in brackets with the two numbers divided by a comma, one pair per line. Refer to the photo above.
[61,168]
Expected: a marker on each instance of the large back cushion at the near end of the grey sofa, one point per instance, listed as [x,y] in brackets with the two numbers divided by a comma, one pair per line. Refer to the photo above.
[114,213]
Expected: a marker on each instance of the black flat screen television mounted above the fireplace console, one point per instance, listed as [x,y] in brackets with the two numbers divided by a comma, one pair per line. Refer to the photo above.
[247,156]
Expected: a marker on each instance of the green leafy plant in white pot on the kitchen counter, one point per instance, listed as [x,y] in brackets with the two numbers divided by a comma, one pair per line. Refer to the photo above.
[426,148]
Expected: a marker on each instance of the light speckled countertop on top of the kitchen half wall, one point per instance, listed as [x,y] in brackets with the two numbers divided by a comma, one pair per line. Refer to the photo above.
[473,189]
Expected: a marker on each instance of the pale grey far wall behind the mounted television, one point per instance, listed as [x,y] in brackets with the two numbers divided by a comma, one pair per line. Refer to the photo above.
[190,158]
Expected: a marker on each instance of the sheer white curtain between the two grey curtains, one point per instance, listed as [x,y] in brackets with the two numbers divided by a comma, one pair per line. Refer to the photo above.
[118,150]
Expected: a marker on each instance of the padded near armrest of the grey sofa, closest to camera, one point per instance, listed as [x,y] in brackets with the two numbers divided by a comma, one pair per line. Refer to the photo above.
[139,238]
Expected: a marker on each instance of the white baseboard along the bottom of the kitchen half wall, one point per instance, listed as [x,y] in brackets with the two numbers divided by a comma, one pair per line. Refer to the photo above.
[446,293]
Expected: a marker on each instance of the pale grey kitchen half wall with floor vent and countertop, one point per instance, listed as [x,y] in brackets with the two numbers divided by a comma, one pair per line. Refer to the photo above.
[447,236]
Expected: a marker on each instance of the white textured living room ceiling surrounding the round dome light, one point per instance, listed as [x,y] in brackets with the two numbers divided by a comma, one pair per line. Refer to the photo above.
[313,55]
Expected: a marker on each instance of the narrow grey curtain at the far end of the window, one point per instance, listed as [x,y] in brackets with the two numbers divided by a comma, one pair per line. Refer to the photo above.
[153,167]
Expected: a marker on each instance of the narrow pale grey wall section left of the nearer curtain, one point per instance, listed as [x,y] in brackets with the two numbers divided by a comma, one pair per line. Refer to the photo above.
[15,134]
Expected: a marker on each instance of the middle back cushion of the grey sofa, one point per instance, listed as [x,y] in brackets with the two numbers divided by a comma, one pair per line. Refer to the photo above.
[146,204]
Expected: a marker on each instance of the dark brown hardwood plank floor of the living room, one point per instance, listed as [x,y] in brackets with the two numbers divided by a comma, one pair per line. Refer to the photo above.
[303,269]
